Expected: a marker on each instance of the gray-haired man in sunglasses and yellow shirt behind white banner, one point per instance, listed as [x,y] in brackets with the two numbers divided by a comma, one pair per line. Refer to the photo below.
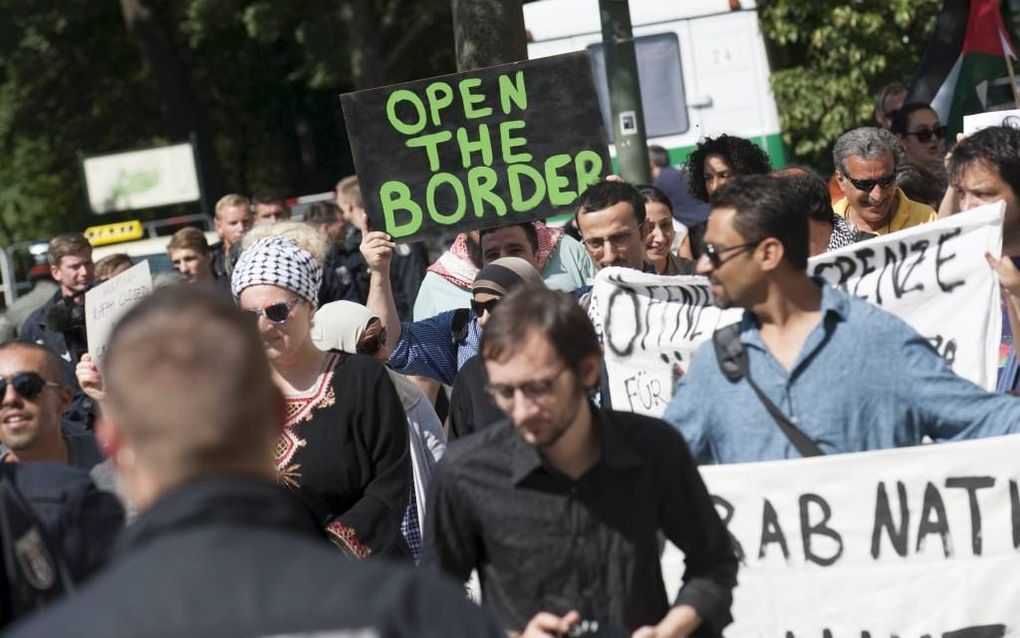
[866,161]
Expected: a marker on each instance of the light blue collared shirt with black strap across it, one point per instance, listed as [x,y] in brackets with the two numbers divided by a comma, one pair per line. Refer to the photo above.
[864,380]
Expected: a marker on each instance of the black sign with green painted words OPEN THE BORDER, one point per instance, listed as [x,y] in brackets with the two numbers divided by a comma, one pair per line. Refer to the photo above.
[483,149]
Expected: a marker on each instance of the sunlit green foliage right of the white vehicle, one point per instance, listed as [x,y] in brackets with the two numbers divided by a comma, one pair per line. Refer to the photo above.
[831,58]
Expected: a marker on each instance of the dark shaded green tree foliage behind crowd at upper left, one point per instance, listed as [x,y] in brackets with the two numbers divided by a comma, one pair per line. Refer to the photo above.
[266,76]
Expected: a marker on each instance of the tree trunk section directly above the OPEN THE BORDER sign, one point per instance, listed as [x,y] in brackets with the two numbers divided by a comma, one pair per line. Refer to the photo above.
[488,33]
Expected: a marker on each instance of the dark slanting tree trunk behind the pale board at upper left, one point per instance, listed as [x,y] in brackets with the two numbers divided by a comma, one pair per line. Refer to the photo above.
[182,114]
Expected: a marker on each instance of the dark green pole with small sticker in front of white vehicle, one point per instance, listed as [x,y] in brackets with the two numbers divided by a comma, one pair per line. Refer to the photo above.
[625,92]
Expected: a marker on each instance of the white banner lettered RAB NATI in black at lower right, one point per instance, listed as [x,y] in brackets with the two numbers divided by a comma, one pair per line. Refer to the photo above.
[911,543]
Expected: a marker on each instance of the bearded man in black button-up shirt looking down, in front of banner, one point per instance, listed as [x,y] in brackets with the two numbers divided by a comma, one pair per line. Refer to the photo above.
[558,508]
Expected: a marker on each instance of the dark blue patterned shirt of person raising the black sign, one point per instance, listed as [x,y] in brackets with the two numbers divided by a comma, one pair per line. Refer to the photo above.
[429,349]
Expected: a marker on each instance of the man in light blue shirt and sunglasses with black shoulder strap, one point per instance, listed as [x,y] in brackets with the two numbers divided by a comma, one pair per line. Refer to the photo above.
[846,375]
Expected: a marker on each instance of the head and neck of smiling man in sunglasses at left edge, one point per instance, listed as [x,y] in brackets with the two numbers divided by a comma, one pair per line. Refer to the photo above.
[34,397]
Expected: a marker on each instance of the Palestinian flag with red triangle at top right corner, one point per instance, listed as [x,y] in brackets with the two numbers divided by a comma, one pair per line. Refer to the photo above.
[964,71]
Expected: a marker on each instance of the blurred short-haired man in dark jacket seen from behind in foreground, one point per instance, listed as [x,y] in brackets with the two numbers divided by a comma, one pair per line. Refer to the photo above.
[191,418]
